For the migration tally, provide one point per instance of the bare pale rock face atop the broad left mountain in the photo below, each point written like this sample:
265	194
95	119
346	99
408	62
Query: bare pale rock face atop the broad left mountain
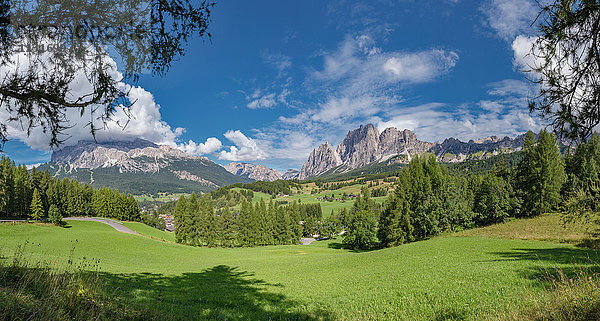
136	156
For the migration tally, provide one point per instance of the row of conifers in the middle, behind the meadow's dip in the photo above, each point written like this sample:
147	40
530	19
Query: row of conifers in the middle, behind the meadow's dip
200	223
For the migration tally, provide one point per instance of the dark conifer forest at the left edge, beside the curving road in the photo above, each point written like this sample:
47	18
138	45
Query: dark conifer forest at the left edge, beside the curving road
38	195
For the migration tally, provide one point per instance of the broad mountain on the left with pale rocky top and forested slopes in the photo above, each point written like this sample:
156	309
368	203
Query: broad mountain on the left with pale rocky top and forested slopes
139	167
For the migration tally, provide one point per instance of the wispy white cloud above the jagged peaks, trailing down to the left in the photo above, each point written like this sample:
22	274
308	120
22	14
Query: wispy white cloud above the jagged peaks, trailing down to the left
357	83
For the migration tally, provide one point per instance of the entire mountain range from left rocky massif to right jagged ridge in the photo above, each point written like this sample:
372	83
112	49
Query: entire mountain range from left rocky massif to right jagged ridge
141	167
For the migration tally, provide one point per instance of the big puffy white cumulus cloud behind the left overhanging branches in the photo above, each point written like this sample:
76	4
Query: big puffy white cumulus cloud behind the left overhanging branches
142	120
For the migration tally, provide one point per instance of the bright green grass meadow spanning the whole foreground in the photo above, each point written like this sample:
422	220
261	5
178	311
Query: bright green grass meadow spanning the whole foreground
468	277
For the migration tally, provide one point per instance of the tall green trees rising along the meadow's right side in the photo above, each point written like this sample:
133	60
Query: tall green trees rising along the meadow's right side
427	200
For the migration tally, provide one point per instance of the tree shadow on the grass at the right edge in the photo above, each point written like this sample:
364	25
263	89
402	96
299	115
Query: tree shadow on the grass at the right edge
560	263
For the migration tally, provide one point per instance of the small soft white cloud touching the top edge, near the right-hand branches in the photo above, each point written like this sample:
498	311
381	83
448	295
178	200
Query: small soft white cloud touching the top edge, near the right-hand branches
510	18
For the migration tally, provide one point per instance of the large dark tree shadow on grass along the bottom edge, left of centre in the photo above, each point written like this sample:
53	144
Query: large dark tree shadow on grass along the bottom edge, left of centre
218	293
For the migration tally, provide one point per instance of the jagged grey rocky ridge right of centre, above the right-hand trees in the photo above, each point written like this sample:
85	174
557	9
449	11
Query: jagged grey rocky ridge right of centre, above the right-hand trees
365	145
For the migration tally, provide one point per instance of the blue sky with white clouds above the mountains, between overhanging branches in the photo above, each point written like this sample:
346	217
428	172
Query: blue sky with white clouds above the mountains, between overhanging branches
281	77
